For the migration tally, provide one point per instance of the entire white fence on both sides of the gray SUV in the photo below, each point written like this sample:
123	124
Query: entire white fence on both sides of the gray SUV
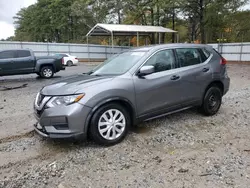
231	51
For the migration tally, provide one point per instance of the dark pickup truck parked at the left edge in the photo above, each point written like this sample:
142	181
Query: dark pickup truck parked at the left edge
20	61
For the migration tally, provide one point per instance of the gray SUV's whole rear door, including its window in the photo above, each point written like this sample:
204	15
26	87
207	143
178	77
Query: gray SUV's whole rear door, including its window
196	74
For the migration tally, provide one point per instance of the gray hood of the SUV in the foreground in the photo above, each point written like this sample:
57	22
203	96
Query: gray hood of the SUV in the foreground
73	85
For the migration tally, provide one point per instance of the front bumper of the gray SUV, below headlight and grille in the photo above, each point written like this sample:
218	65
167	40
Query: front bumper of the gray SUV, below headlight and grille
62	121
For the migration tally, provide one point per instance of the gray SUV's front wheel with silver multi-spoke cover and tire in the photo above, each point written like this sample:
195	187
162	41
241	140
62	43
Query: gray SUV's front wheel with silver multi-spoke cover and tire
105	132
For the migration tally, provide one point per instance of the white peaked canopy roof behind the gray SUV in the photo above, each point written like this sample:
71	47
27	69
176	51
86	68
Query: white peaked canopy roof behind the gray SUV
126	30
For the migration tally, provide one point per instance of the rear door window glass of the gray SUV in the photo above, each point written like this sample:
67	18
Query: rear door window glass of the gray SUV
188	56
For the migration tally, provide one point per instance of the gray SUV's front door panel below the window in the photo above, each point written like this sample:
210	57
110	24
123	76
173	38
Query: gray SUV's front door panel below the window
157	91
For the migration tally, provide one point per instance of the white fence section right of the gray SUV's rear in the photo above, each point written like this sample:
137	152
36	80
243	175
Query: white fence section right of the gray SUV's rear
234	51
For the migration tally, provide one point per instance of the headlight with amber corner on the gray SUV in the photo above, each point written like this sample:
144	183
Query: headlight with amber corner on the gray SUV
64	100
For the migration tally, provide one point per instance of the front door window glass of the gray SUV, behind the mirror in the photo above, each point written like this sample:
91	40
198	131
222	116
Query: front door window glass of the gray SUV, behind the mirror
162	61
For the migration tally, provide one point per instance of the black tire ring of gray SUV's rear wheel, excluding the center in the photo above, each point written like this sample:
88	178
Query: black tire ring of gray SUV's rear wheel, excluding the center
205	107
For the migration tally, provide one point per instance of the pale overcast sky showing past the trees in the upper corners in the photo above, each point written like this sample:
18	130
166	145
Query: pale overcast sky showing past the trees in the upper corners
9	8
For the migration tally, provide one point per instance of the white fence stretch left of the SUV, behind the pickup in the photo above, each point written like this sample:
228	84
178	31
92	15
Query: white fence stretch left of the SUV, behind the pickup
80	50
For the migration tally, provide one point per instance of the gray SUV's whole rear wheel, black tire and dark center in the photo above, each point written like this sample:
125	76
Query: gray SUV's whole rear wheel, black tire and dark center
212	101
